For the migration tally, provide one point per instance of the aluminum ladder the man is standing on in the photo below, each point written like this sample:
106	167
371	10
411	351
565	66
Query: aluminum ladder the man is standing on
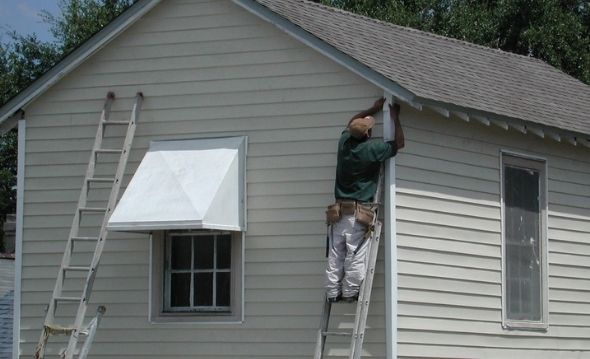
362	308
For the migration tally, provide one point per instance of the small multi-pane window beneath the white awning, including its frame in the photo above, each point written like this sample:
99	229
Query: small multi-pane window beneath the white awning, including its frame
196	276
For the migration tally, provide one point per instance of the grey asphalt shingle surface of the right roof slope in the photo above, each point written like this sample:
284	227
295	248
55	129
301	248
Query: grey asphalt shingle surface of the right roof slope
446	70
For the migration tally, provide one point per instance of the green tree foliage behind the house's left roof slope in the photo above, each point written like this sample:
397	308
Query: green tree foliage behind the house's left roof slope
25	58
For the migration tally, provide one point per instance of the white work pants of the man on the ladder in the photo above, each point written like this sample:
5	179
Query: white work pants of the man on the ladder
346	270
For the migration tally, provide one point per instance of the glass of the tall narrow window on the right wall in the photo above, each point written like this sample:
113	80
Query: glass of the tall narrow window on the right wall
523	270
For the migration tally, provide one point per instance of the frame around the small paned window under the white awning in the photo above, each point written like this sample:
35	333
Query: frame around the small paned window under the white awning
158	313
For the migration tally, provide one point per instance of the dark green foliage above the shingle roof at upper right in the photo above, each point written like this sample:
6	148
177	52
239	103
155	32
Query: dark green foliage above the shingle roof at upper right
556	31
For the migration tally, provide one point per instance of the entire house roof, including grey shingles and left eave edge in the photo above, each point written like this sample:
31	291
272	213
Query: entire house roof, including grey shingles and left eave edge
419	67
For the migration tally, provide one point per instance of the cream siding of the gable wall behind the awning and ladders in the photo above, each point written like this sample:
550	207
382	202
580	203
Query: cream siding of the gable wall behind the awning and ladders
207	69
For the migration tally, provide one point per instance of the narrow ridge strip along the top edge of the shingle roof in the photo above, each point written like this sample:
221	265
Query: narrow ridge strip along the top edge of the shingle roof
431	34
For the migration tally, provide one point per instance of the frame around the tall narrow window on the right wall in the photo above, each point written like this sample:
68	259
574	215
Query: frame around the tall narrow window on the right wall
539	164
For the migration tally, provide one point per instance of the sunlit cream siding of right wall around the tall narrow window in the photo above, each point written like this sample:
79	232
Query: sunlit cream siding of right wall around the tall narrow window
449	243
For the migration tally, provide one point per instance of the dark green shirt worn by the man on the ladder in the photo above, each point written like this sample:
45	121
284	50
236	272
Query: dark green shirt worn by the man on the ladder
357	170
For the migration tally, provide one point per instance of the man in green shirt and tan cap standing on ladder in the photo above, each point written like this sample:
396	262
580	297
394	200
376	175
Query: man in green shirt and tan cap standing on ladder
357	174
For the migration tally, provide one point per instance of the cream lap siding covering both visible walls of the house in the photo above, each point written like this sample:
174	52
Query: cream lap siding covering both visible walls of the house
209	69
